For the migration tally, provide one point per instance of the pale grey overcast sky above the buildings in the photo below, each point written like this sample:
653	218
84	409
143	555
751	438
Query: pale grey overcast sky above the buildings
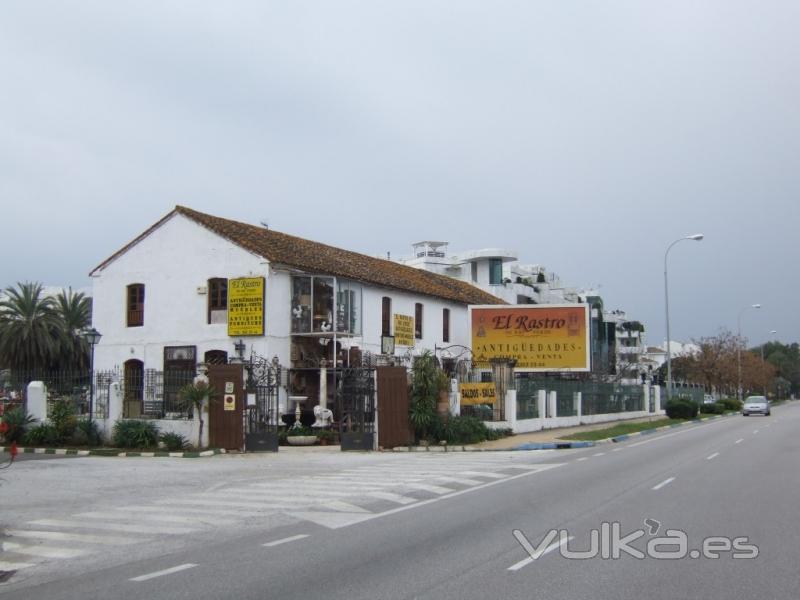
586	136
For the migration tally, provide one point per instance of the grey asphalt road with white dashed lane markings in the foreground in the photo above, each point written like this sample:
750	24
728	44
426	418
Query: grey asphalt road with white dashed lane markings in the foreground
733	477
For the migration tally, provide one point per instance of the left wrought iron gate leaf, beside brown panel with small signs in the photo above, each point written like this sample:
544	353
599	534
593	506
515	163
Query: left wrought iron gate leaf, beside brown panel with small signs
261	418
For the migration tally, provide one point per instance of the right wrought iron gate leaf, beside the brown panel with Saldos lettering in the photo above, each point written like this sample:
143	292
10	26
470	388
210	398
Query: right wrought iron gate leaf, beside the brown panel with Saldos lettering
355	403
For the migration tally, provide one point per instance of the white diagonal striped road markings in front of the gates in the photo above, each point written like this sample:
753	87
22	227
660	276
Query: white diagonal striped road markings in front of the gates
336	499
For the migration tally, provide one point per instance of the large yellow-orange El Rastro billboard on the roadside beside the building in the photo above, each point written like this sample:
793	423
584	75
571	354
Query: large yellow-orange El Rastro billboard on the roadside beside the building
545	337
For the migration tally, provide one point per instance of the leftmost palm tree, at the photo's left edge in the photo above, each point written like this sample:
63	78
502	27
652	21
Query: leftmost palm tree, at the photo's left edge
29	331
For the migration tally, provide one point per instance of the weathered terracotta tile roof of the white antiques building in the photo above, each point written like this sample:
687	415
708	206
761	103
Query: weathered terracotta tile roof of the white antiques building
315	257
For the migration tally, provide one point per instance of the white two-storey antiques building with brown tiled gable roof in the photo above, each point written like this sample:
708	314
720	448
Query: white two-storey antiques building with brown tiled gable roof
161	303
